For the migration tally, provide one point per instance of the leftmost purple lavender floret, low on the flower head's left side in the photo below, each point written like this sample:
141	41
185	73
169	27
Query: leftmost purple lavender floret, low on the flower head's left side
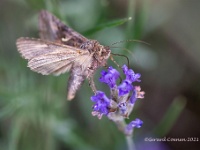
101	103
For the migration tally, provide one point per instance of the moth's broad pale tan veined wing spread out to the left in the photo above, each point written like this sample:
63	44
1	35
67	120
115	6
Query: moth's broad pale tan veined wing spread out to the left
47	57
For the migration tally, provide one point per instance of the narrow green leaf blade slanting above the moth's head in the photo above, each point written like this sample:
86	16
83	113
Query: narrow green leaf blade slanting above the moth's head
113	23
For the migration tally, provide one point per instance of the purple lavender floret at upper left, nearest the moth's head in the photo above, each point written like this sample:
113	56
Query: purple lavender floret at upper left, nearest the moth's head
110	77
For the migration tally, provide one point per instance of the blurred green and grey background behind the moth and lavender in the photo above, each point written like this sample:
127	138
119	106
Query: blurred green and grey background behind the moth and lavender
34	113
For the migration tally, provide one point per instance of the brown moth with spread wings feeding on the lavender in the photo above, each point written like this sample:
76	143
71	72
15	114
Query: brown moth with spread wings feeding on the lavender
61	49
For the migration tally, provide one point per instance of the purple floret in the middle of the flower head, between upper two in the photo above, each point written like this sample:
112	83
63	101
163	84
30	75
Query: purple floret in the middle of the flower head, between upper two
125	87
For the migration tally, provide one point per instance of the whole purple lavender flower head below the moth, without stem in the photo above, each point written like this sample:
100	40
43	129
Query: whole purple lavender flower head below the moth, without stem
122	98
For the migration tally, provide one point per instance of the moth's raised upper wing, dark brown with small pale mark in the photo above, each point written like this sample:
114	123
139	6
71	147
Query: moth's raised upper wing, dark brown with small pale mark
51	28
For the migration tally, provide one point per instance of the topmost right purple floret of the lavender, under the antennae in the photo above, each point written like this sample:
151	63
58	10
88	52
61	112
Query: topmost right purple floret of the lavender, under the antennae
130	75
